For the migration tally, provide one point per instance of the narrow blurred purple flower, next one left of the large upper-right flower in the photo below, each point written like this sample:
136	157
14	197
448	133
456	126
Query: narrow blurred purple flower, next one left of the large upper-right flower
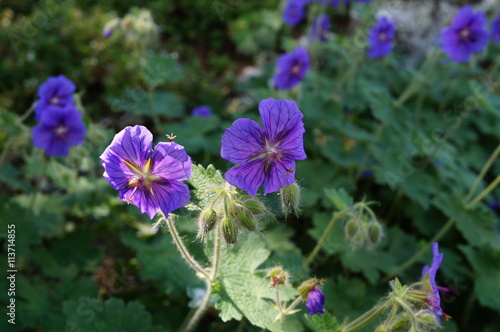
381	37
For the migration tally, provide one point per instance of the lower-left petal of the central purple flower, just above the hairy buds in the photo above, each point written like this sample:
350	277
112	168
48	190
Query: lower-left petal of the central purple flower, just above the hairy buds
248	177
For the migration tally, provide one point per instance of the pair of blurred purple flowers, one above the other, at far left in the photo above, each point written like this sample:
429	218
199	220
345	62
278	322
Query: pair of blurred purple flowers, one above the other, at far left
60	123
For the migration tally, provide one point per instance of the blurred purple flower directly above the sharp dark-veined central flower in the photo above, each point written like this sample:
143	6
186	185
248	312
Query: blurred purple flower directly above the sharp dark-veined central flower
292	68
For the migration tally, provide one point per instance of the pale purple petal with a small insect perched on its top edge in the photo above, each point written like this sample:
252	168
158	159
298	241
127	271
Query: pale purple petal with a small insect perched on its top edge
171	161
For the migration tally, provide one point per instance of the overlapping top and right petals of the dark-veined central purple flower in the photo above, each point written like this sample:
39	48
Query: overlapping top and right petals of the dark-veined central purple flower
283	125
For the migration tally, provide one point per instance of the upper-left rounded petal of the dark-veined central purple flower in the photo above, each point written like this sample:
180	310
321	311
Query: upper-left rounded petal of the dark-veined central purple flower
243	141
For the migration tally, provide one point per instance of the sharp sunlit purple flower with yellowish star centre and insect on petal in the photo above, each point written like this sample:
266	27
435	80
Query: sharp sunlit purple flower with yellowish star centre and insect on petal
149	179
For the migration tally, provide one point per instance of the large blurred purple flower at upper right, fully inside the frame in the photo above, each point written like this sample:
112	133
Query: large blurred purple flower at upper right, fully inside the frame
465	35
